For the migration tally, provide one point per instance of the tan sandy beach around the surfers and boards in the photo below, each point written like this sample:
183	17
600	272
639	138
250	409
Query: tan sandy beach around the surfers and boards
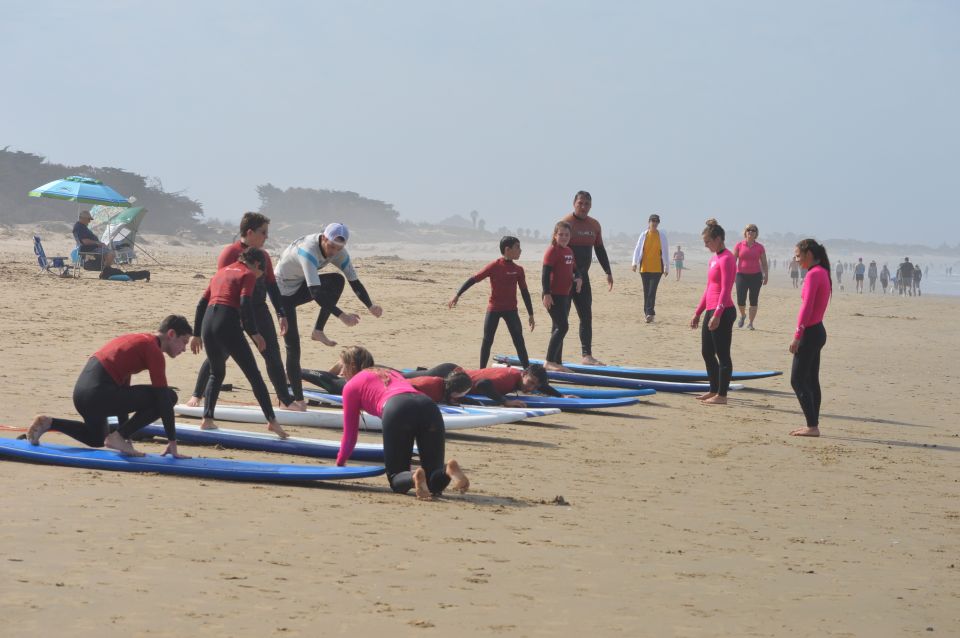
680	519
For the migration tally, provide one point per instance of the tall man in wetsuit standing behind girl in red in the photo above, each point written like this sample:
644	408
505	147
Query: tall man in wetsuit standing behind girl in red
584	240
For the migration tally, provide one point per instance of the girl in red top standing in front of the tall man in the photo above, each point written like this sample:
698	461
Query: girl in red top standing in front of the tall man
558	279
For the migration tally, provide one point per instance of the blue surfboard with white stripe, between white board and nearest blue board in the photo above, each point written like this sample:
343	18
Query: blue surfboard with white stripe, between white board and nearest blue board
265	442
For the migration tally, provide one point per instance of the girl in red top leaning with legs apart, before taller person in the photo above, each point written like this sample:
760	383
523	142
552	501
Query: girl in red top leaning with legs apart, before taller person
223	313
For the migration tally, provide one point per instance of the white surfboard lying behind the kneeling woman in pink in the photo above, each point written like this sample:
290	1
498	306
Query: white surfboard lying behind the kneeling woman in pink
333	418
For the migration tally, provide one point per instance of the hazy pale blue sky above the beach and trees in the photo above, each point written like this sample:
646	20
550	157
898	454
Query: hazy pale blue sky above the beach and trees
832	118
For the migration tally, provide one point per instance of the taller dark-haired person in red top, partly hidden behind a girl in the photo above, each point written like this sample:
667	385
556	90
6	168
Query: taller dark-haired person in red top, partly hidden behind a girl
254	230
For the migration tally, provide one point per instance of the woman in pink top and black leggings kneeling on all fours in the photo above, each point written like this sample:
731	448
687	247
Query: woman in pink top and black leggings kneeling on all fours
407	416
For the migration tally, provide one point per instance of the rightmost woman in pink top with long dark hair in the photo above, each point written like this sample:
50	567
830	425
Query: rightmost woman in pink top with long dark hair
810	336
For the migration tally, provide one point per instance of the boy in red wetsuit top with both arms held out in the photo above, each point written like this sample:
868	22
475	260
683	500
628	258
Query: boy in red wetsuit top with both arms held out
505	277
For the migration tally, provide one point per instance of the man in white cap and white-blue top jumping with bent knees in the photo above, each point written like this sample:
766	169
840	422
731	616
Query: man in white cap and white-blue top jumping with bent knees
299	279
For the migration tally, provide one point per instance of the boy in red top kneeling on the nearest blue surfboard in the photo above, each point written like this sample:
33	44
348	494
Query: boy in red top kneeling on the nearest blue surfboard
103	390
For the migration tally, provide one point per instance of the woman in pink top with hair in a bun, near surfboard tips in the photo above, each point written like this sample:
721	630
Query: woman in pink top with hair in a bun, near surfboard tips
717	333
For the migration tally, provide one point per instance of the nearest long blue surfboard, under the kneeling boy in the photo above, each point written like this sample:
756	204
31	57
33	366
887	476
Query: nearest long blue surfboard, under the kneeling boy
103	459
